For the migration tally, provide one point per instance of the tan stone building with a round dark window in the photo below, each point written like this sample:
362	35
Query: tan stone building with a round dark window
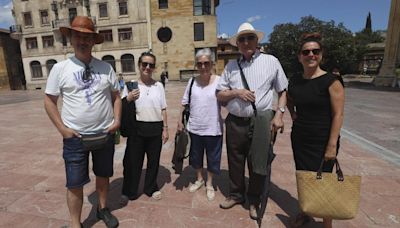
178	29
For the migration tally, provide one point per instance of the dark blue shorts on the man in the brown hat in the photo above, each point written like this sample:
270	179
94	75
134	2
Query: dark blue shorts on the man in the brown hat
76	161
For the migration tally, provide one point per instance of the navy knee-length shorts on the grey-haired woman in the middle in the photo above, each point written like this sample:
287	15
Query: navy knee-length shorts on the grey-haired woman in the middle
213	147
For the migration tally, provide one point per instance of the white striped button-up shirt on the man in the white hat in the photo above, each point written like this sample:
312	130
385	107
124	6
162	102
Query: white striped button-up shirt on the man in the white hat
263	74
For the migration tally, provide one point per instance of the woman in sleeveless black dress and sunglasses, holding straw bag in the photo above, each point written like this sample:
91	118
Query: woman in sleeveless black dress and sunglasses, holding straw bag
315	102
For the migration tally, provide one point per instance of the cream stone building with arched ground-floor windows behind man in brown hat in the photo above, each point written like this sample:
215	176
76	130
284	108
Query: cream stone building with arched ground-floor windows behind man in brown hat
124	23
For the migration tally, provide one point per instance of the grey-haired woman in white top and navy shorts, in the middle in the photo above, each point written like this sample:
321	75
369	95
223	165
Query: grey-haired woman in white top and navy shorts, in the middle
205	122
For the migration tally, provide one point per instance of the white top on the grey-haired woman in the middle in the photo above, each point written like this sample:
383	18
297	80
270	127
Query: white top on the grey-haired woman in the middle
205	112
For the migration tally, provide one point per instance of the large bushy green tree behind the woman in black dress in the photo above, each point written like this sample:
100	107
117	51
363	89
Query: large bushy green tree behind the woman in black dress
337	41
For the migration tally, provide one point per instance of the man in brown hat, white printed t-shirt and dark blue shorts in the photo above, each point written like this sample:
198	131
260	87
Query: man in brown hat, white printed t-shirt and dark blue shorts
91	110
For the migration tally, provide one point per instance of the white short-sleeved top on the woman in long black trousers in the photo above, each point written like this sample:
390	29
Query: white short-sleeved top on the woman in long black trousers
150	103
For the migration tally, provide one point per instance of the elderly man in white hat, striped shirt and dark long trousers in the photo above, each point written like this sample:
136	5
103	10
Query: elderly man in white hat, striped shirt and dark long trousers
247	87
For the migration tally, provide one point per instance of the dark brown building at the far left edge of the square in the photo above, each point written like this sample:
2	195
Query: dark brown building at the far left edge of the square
11	72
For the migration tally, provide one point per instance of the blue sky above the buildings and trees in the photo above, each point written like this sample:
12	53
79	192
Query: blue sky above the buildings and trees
264	14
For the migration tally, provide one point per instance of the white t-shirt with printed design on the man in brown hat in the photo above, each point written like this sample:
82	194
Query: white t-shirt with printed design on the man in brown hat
87	106
